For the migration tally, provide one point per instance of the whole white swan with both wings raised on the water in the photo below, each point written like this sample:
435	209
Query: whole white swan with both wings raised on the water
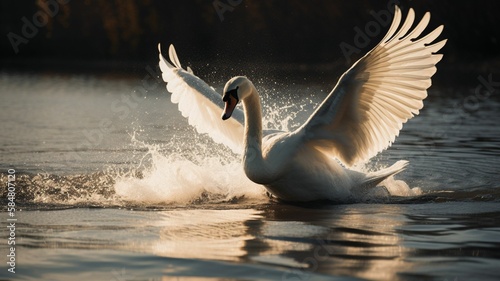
359	118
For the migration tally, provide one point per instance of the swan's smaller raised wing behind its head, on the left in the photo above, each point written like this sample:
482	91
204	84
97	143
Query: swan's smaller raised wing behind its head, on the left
201	104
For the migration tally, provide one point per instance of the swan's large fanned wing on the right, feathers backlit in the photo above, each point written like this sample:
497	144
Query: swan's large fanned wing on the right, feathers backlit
367	108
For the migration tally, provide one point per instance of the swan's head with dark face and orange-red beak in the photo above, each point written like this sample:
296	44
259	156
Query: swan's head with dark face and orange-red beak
236	89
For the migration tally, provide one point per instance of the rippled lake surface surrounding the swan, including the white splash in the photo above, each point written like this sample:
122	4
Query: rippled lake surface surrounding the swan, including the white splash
112	184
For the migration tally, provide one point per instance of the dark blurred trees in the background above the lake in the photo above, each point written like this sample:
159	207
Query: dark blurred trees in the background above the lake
281	31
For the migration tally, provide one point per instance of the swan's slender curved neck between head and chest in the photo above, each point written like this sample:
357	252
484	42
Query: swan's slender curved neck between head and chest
256	168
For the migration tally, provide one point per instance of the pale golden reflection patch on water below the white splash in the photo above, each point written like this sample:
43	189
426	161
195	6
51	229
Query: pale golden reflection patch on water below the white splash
204	234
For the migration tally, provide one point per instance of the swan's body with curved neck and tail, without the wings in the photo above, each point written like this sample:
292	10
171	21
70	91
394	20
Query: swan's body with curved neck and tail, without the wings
288	167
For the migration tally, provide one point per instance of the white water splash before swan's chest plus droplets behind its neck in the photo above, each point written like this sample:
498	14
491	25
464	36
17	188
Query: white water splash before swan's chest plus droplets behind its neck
199	171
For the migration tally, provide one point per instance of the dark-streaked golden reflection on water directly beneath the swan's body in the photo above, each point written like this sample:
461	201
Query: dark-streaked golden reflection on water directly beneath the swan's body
344	243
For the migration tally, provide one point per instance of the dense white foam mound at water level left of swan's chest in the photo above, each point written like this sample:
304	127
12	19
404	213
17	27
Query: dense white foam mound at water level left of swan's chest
174	179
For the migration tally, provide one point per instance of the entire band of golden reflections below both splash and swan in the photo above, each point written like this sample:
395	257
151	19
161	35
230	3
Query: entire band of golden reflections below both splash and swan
302	241
